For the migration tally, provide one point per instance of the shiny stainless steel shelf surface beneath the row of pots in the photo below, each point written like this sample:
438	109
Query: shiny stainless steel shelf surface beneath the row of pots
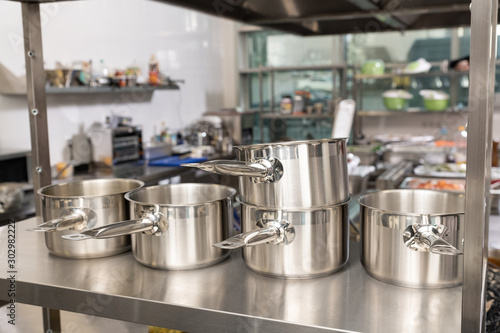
227	297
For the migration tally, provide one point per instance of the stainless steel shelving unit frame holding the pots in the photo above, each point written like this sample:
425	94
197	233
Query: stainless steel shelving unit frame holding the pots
262	318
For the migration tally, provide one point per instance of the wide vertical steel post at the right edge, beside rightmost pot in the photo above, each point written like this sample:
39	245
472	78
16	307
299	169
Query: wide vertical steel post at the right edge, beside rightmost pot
481	100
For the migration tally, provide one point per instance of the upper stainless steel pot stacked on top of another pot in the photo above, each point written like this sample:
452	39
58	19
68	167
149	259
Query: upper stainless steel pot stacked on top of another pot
297	174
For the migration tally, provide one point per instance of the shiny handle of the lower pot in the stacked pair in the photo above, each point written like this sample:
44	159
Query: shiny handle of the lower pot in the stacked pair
272	231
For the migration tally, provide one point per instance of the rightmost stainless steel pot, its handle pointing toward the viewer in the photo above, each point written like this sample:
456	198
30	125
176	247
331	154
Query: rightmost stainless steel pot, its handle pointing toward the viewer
413	238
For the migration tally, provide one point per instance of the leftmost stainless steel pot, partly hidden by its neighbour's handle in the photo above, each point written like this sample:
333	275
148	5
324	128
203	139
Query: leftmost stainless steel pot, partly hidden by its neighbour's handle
82	205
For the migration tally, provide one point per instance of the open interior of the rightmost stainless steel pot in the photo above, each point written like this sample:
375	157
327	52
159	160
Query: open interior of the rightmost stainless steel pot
415	201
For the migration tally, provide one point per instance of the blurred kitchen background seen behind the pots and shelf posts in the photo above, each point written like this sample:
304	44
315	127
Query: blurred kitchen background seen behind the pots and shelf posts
138	92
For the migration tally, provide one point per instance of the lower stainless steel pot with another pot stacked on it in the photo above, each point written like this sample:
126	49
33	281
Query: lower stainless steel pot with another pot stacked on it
293	243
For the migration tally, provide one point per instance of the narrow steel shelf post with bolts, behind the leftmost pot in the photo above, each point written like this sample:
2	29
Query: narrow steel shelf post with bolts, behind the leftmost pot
37	104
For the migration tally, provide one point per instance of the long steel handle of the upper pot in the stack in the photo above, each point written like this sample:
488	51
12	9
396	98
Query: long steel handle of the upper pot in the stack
265	170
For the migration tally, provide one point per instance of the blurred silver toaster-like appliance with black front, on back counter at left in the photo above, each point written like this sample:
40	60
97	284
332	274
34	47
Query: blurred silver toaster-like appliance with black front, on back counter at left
112	146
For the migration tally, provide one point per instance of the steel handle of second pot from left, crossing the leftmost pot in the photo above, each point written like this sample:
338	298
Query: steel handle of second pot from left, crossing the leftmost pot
148	224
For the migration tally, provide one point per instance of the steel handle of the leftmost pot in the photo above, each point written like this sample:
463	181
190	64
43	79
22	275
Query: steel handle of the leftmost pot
75	219
